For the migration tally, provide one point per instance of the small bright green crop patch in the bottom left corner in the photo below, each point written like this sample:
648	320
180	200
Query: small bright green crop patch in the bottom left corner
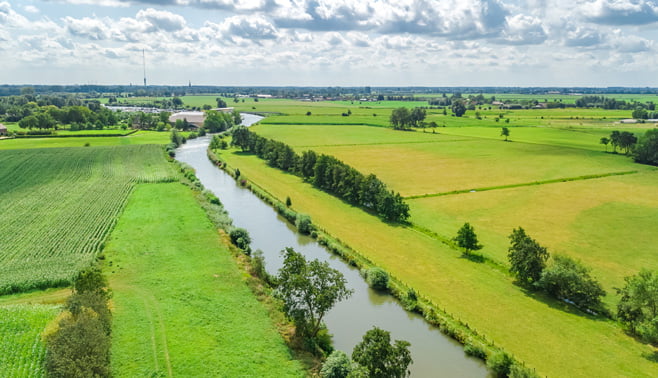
22	351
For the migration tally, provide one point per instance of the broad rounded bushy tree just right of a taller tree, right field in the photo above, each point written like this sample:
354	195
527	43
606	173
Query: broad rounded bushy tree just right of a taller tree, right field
569	279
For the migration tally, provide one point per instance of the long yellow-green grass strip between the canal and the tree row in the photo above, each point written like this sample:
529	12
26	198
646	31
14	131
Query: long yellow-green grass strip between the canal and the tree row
483	297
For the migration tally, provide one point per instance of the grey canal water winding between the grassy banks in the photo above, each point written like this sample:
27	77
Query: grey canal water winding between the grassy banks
434	354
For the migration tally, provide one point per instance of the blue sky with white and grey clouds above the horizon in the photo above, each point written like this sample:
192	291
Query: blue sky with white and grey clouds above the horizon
331	42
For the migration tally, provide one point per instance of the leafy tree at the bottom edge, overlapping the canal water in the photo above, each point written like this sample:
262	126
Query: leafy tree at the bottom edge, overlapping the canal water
380	358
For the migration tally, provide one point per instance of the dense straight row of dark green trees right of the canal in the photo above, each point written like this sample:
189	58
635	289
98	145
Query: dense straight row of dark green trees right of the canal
327	173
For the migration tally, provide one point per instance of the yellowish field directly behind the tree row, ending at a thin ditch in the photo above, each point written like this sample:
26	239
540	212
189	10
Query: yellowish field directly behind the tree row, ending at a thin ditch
415	163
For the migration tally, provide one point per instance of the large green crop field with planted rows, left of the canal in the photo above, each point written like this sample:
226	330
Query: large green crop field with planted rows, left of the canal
59	204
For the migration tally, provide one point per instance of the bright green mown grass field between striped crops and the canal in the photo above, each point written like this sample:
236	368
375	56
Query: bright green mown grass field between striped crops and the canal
181	306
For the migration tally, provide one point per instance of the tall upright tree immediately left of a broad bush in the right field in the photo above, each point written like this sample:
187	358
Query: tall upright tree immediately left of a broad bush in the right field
527	258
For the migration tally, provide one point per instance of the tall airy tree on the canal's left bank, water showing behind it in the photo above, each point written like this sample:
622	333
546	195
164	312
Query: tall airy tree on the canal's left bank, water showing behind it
309	290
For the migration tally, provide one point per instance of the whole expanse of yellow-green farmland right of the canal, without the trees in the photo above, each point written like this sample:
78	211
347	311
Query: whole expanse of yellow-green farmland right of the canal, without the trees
553	179
